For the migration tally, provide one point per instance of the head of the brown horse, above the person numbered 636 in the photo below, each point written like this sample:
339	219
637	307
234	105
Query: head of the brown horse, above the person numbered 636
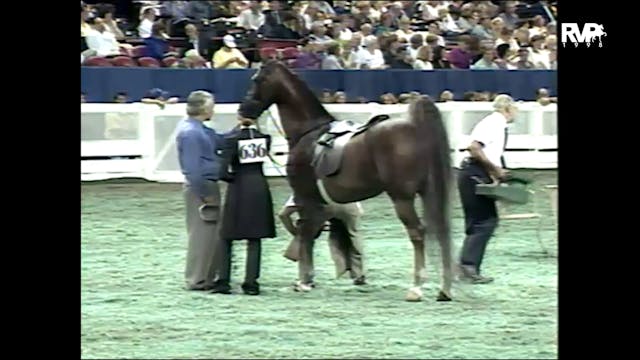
267	85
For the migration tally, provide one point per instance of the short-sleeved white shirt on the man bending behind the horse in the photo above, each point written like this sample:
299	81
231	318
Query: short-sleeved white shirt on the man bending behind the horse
490	132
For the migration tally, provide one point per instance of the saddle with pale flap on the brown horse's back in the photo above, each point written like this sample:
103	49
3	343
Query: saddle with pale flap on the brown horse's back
328	149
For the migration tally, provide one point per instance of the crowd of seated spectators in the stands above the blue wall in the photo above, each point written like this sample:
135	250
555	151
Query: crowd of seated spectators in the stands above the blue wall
421	35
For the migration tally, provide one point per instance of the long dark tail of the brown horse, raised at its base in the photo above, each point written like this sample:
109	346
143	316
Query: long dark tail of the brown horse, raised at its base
435	193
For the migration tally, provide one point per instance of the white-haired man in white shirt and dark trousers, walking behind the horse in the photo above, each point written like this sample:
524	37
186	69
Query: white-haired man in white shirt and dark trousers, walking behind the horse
486	164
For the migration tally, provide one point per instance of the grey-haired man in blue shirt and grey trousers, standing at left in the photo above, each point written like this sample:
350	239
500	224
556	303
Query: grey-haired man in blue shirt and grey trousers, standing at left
200	164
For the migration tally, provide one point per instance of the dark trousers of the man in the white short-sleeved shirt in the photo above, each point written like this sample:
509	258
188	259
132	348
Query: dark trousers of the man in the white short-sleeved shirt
480	214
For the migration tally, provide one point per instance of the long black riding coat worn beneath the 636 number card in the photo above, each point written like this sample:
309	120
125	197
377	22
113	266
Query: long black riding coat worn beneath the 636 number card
248	206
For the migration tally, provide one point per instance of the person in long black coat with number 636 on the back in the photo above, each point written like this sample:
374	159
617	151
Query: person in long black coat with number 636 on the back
248	207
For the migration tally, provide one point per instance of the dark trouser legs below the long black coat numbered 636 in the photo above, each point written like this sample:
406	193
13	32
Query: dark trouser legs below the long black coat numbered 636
252	265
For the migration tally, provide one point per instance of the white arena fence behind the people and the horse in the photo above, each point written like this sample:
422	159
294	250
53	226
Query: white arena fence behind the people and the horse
138	140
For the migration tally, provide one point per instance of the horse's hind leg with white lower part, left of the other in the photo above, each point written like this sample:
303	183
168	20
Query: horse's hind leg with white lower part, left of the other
407	214
